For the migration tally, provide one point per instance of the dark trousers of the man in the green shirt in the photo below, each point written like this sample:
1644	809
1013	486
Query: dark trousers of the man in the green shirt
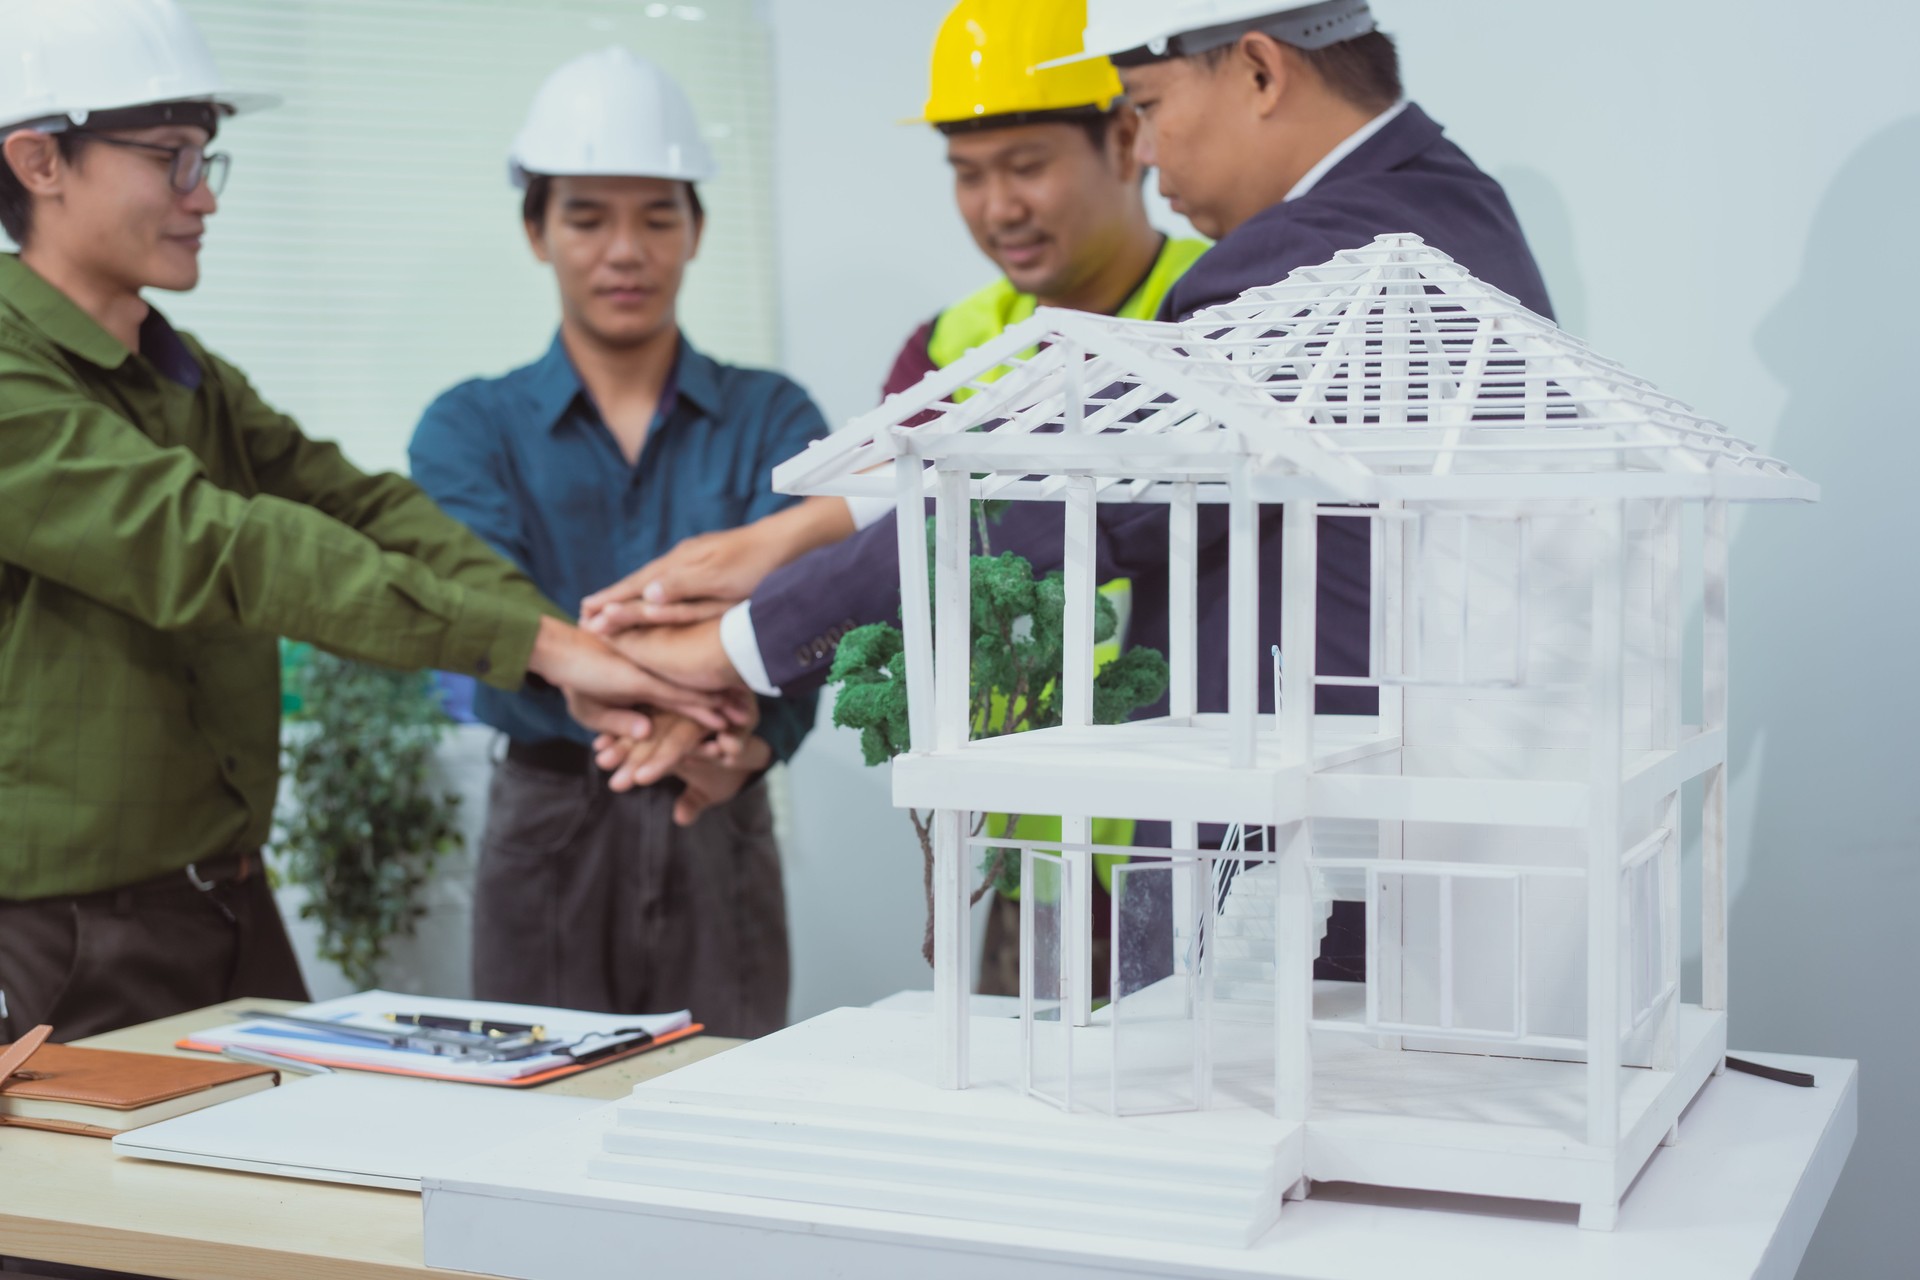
107	960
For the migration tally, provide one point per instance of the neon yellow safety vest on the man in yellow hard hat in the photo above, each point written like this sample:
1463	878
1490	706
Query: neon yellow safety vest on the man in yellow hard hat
982	318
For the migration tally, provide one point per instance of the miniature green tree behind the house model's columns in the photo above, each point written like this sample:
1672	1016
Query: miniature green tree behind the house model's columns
1019	634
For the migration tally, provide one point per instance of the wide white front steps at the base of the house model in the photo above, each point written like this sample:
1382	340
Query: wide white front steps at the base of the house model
1070	1173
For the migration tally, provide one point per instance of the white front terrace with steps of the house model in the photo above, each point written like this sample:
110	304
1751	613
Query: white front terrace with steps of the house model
838	1112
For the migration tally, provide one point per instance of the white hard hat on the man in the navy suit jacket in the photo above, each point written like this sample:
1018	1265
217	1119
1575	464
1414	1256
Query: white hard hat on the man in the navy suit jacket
1149	30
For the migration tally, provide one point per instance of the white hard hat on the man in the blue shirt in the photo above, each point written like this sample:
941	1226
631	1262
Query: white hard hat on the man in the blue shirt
612	114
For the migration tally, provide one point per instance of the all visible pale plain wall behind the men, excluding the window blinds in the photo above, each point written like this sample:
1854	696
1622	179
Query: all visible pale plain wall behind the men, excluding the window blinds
1719	195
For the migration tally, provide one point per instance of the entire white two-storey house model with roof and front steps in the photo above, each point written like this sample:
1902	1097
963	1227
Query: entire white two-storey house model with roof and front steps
1547	531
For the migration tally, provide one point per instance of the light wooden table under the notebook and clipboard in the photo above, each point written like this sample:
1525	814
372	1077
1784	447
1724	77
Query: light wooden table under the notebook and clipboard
66	1198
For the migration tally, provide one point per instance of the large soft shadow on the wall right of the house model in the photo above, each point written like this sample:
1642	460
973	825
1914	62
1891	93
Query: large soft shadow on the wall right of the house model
1827	617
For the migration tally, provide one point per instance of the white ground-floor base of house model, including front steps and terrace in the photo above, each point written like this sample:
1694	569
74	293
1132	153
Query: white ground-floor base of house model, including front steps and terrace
838	1116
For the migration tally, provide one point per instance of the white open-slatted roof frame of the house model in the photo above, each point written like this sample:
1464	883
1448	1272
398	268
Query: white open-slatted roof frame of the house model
1387	373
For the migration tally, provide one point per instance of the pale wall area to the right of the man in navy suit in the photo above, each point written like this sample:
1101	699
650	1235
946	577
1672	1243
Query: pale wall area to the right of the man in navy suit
1716	191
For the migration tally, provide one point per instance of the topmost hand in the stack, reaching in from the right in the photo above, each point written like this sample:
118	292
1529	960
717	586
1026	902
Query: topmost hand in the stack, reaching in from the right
709	573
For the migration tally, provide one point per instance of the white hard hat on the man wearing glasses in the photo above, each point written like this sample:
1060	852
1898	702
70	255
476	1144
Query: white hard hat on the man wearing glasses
64	62
